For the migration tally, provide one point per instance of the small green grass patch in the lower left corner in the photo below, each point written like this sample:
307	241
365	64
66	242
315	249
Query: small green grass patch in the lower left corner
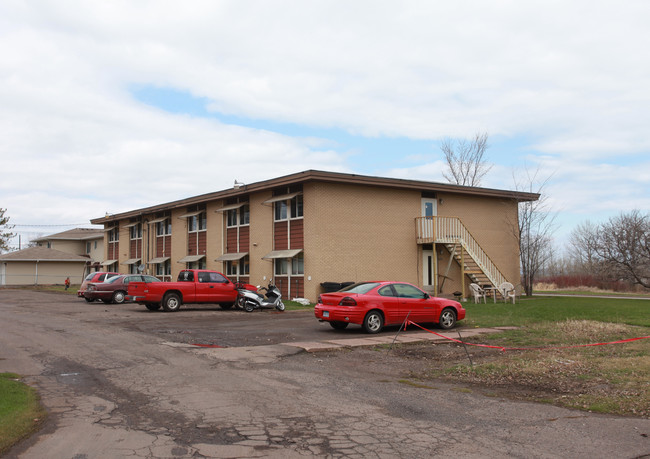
20	410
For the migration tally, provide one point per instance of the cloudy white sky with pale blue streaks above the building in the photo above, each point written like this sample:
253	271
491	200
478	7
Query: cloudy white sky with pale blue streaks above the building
113	106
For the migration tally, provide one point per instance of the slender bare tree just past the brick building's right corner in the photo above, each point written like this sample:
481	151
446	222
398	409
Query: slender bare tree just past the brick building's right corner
534	230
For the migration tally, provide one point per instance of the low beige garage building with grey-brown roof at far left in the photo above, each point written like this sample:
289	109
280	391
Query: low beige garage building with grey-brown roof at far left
41	266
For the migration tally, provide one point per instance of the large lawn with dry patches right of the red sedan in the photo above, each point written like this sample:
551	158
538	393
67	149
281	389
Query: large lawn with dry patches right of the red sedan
608	378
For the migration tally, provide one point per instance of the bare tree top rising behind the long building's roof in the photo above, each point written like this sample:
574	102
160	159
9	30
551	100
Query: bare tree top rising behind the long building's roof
466	160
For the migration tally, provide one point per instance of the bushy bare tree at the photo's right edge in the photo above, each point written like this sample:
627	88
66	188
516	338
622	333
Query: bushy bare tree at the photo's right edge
623	245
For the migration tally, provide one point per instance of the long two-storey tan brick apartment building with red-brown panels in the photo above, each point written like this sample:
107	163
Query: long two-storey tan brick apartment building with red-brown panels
315	227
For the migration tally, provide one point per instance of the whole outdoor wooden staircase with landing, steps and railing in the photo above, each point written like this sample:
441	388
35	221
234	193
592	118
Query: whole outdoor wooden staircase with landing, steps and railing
451	232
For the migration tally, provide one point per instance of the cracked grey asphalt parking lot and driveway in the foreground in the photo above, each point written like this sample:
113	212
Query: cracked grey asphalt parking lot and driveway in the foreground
121	382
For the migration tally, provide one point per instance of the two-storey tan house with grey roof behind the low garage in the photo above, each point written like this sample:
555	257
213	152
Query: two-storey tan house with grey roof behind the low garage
86	242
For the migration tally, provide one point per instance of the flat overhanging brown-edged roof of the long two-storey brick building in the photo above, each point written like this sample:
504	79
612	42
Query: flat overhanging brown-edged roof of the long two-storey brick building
323	176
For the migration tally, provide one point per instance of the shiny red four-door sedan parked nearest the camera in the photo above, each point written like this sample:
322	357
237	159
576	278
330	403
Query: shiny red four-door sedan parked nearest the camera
375	304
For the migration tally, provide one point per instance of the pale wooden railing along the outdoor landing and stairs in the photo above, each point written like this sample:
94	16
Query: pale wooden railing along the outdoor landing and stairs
451	230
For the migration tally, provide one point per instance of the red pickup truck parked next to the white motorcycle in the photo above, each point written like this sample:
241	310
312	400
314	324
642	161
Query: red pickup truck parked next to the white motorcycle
193	286
